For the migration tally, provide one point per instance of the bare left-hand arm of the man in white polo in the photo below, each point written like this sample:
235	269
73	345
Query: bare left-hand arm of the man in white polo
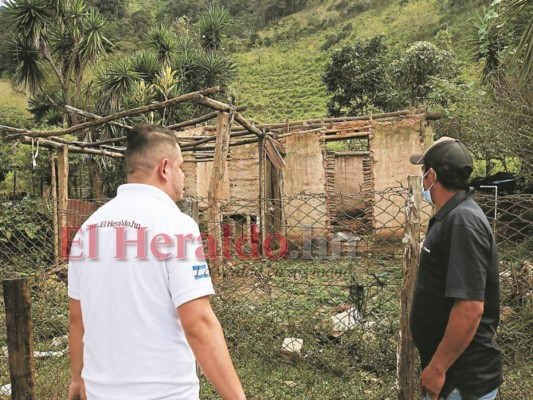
75	339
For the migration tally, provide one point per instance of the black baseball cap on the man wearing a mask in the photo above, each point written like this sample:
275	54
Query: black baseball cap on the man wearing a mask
445	154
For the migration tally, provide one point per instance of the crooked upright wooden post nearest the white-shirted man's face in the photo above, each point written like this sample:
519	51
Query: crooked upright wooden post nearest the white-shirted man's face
215	188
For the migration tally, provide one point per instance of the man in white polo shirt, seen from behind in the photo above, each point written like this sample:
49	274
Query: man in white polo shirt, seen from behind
139	289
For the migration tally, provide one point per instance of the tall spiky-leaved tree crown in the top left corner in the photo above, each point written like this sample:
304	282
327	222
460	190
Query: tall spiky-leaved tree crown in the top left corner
66	35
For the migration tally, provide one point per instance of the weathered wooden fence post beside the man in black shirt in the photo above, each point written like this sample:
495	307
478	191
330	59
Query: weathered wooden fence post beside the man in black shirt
411	255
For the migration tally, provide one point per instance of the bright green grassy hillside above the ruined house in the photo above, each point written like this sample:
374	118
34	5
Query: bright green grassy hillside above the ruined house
282	78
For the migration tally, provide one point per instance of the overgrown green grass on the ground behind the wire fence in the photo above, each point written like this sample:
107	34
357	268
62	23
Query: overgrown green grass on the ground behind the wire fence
259	303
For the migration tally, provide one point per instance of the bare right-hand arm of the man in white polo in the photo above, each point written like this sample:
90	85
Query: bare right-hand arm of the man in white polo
206	338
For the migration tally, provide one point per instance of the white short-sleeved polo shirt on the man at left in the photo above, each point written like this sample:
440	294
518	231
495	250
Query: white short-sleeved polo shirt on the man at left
133	262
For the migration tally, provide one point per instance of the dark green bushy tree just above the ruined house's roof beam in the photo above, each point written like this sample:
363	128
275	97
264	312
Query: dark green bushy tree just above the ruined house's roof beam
357	79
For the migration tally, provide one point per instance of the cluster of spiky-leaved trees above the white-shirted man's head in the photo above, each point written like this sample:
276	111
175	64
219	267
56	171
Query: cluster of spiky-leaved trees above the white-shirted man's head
172	65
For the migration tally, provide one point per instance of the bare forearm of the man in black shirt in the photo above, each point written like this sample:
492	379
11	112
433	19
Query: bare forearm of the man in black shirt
462	325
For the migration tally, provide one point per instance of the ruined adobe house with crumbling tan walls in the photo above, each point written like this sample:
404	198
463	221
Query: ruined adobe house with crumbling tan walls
318	185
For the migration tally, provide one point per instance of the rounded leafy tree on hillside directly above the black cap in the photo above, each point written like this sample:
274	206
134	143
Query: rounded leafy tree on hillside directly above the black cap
418	66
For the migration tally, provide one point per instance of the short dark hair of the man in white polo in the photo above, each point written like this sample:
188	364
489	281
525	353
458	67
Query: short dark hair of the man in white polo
147	145
